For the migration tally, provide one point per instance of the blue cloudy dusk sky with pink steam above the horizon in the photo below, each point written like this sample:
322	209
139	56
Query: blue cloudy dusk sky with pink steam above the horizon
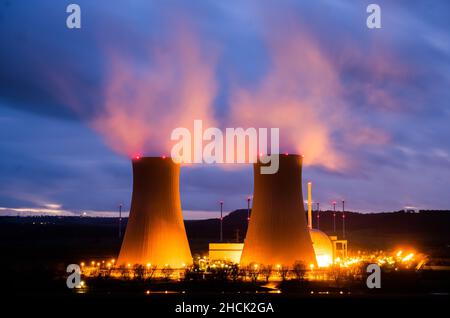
369	109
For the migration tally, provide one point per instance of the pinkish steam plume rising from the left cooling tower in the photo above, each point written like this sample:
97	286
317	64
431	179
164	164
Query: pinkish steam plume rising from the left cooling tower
143	104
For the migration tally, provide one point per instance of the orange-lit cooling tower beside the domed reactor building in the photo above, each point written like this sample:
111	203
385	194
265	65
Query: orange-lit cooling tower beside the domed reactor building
277	233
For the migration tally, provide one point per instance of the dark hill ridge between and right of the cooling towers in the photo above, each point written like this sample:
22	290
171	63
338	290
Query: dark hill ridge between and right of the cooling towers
425	229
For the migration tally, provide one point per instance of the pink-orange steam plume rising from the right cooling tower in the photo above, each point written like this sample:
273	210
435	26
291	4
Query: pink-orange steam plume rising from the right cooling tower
302	94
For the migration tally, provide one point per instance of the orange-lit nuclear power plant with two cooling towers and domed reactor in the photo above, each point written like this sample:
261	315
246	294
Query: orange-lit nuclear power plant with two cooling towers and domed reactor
278	232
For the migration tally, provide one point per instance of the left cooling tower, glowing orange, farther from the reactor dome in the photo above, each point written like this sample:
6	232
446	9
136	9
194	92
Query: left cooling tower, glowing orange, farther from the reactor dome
155	232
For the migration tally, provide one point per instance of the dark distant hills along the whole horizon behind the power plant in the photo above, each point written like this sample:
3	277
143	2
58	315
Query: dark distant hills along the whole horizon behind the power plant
53	236
